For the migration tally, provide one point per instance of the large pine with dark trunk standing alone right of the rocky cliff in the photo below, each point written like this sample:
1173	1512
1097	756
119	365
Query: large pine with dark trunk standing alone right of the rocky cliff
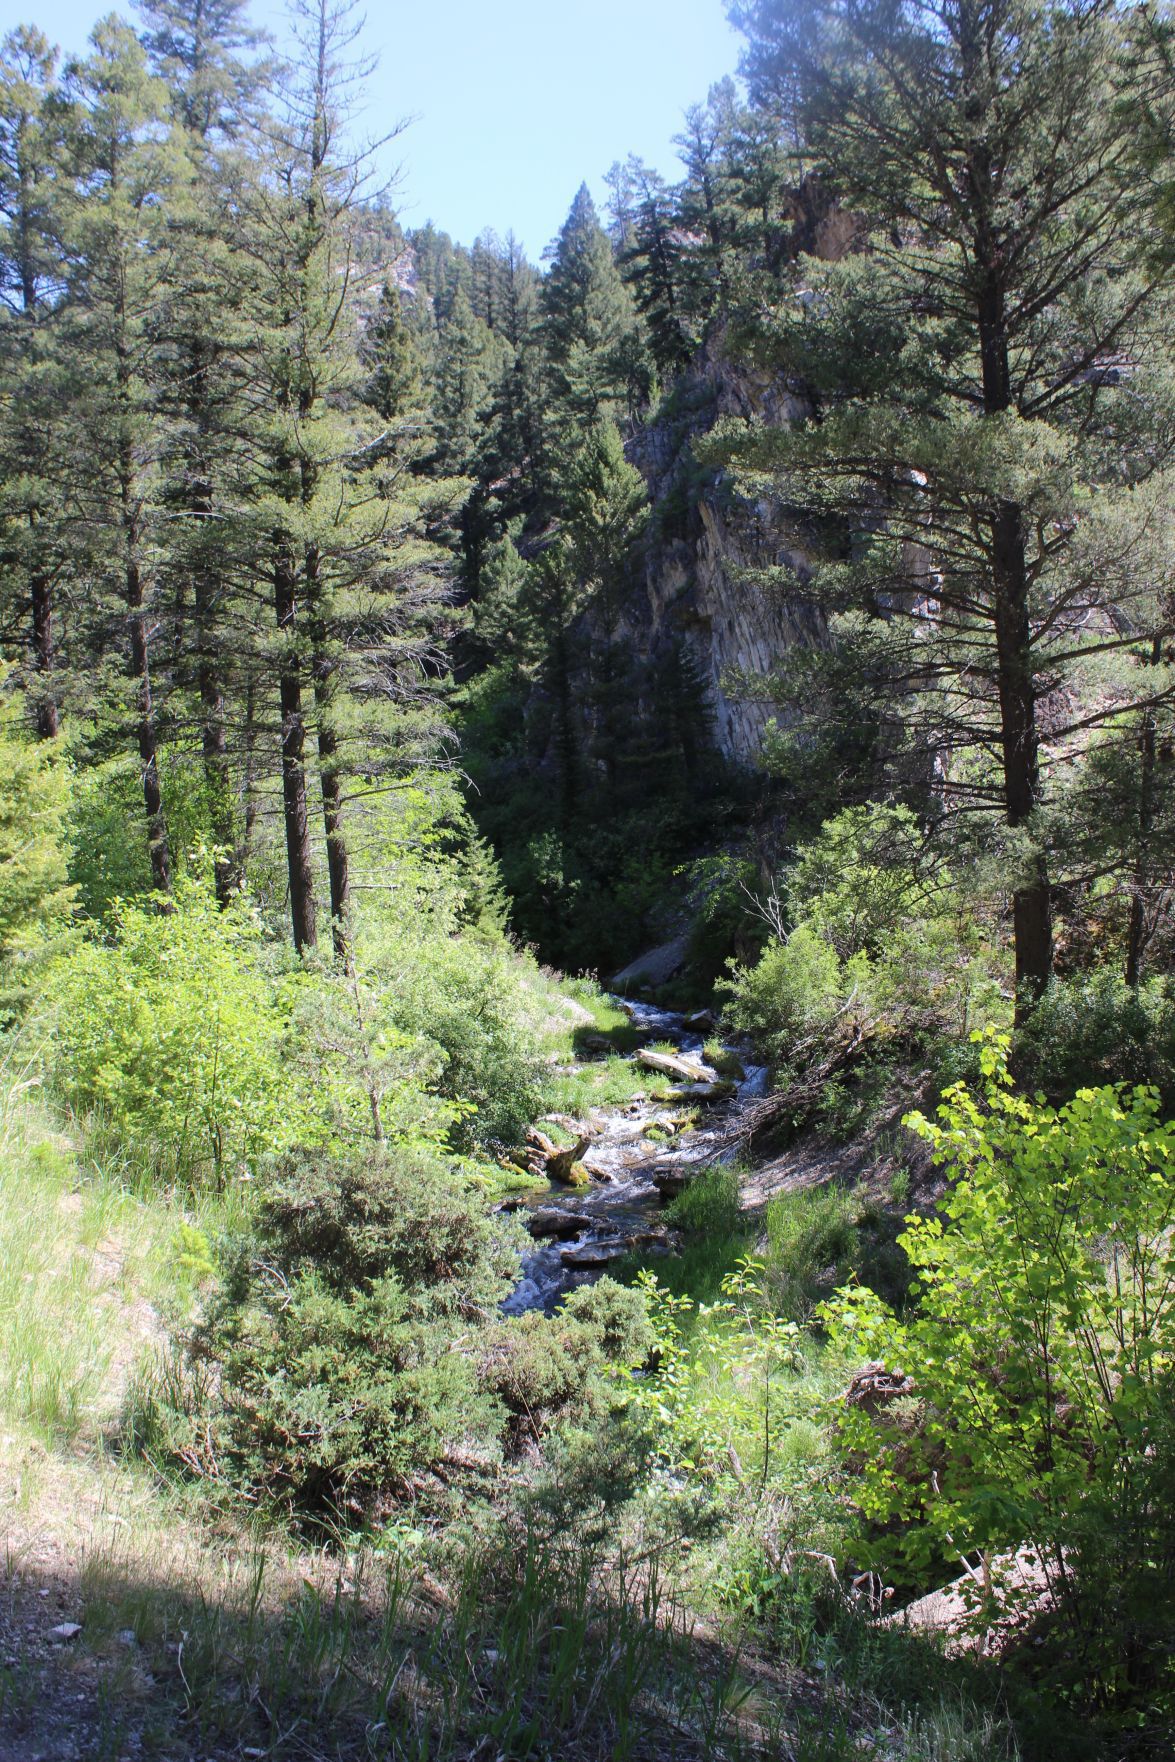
980	383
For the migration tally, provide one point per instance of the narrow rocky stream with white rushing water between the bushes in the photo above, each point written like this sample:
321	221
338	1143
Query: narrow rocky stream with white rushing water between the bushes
621	1208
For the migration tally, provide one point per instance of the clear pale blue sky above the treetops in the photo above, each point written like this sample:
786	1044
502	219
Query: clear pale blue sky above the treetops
515	103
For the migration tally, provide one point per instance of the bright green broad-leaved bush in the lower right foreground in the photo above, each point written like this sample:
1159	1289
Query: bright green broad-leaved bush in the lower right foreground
1040	1338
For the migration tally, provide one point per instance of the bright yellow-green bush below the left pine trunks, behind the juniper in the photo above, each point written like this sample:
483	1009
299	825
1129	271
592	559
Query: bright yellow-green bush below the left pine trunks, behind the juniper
172	1030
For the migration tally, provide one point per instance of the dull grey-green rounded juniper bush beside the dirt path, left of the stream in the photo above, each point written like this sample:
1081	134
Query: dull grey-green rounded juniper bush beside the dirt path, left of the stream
332	1333
